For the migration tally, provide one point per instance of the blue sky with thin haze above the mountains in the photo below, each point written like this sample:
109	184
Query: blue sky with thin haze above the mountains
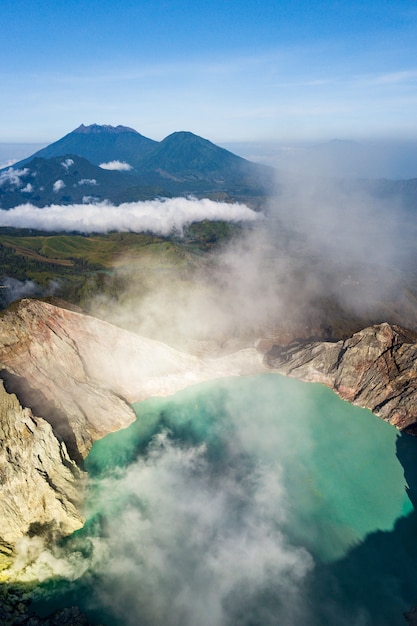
229	71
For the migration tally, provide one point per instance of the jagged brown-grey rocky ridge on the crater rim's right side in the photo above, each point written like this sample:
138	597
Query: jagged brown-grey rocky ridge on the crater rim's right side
376	368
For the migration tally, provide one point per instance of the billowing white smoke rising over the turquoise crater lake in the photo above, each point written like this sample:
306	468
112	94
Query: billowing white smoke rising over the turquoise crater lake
184	543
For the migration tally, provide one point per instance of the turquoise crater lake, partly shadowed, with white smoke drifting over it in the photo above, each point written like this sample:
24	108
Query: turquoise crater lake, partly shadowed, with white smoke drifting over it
248	501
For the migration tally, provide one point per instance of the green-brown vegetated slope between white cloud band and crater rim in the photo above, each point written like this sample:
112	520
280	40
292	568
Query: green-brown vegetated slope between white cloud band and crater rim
76	267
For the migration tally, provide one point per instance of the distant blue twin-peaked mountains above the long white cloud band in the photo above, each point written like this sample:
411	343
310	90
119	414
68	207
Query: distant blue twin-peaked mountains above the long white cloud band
95	163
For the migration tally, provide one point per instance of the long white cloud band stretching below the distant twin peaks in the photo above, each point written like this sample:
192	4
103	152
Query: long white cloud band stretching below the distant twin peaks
161	216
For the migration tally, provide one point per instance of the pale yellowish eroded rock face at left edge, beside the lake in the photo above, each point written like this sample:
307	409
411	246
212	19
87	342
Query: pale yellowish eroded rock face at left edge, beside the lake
41	488
